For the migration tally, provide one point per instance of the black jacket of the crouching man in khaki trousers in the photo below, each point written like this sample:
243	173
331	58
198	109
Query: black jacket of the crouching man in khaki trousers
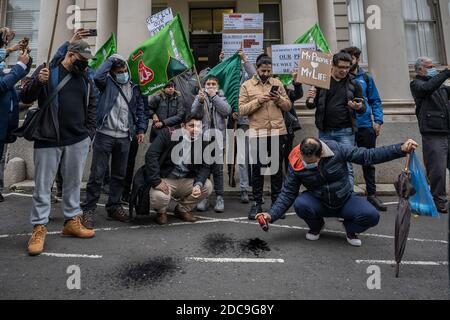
159	165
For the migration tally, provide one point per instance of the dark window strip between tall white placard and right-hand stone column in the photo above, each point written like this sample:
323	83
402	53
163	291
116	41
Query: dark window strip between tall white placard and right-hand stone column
272	23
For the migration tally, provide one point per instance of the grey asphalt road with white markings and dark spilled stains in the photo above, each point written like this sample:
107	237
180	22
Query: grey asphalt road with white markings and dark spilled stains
145	261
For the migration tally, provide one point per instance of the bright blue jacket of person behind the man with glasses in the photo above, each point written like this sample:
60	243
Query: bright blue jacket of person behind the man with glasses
374	112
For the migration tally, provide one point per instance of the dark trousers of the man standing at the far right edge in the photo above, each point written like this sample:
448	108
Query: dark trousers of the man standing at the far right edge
436	156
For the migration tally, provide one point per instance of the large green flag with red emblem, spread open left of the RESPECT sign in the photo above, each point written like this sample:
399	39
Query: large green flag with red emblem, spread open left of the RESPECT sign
161	58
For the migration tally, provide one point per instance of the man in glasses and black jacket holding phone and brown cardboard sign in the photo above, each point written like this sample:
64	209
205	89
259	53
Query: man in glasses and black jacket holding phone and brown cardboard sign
337	107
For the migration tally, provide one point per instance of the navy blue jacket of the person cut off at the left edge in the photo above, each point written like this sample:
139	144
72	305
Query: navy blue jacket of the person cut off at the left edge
9	103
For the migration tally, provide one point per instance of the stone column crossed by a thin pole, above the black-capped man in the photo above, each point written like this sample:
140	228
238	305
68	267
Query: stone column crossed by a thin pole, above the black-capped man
46	21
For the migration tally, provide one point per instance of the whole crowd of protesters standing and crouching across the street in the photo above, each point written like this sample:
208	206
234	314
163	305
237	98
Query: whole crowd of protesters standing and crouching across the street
103	112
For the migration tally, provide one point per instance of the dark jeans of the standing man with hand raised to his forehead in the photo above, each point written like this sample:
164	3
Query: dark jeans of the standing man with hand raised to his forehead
105	148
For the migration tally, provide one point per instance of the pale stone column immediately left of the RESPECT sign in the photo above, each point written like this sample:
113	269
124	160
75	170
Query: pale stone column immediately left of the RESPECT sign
131	26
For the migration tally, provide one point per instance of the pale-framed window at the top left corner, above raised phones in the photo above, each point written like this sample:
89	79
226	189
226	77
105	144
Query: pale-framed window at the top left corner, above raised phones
22	16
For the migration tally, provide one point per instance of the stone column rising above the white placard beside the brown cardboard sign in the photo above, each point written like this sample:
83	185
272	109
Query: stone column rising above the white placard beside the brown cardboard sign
298	17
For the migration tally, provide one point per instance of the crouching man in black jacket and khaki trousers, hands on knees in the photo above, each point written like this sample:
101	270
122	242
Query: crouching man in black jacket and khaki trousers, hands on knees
176	170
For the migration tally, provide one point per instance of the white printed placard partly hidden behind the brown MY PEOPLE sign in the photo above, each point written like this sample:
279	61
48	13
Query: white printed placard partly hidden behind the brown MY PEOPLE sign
285	58
